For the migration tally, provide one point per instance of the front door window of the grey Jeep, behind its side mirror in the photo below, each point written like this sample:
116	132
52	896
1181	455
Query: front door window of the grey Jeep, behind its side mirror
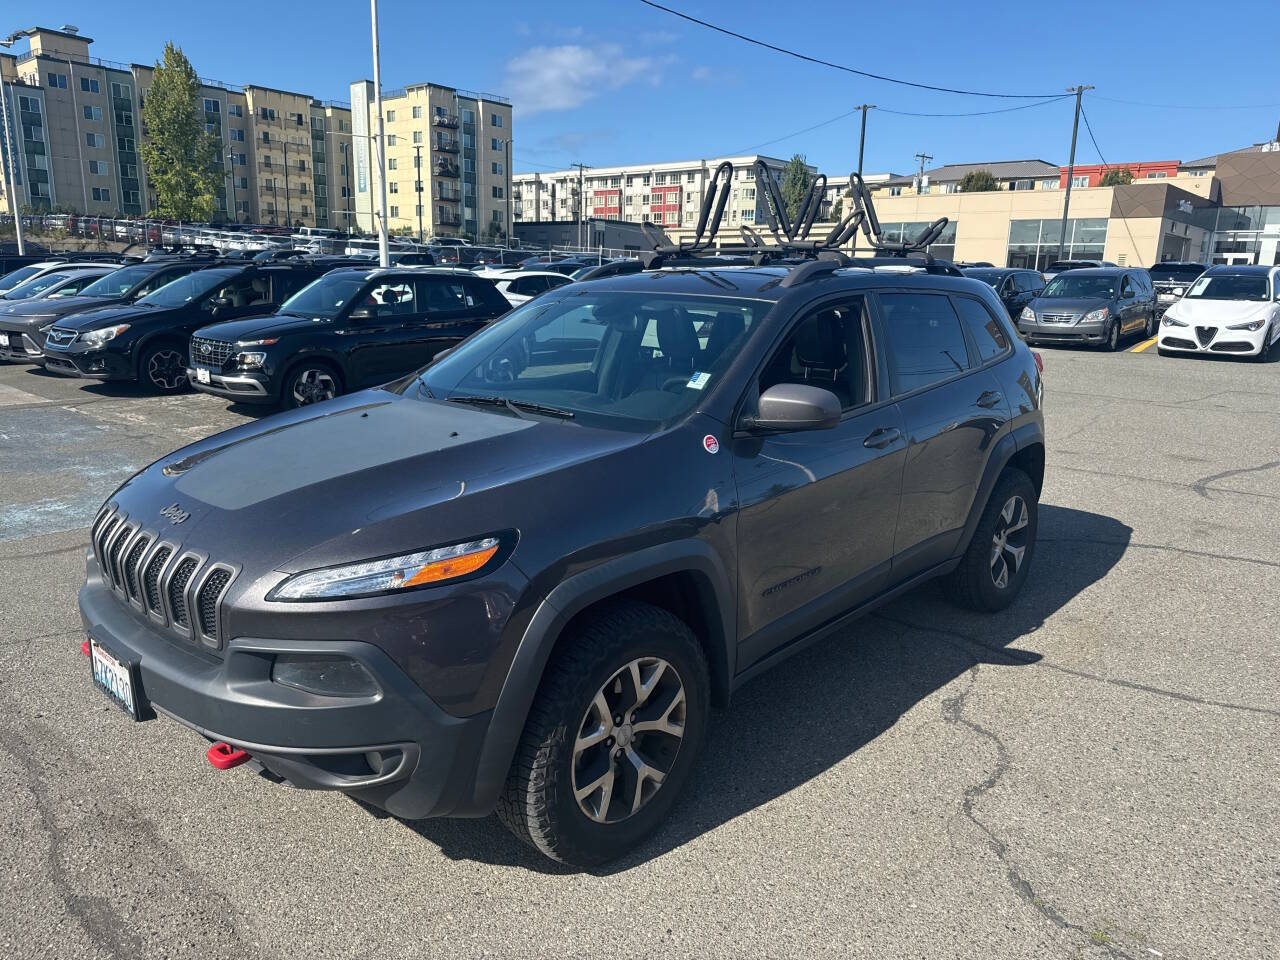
826	349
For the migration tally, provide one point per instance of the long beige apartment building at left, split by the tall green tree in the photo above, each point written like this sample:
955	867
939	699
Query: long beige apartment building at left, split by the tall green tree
76	124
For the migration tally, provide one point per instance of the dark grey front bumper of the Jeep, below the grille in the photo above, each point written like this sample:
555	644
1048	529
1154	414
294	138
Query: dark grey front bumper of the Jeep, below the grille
397	749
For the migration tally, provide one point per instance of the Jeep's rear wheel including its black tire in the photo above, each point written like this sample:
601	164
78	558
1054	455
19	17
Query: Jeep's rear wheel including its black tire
977	583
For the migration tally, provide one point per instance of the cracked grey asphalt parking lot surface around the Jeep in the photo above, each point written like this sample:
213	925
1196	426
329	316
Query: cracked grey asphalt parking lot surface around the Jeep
1090	774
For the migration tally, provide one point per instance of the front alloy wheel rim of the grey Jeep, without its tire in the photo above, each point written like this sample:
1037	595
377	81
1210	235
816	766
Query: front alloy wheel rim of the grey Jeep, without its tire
628	740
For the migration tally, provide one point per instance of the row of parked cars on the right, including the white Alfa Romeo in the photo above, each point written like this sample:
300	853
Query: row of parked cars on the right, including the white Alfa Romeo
1188	308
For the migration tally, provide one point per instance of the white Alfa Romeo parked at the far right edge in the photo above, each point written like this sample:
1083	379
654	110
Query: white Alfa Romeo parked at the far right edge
1227	310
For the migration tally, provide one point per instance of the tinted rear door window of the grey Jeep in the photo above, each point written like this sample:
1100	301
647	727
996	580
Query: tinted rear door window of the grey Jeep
926	344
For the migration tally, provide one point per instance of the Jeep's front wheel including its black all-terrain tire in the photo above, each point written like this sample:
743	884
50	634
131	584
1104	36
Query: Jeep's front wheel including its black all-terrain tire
588	679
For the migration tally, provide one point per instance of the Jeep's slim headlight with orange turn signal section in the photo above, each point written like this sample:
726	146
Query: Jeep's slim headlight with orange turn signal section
380	577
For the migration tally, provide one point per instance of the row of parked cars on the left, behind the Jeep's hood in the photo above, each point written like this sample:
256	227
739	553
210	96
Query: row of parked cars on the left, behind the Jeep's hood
278	331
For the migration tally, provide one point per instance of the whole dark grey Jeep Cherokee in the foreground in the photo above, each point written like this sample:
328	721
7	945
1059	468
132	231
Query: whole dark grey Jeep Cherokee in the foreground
520	579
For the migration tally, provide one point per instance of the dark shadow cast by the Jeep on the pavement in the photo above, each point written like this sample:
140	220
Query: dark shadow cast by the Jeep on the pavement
821	707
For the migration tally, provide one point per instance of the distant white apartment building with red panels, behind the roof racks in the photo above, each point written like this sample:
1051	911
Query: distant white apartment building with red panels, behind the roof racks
669	195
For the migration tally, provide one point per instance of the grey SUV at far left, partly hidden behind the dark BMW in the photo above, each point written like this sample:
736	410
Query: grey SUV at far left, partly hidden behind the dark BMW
25	326
